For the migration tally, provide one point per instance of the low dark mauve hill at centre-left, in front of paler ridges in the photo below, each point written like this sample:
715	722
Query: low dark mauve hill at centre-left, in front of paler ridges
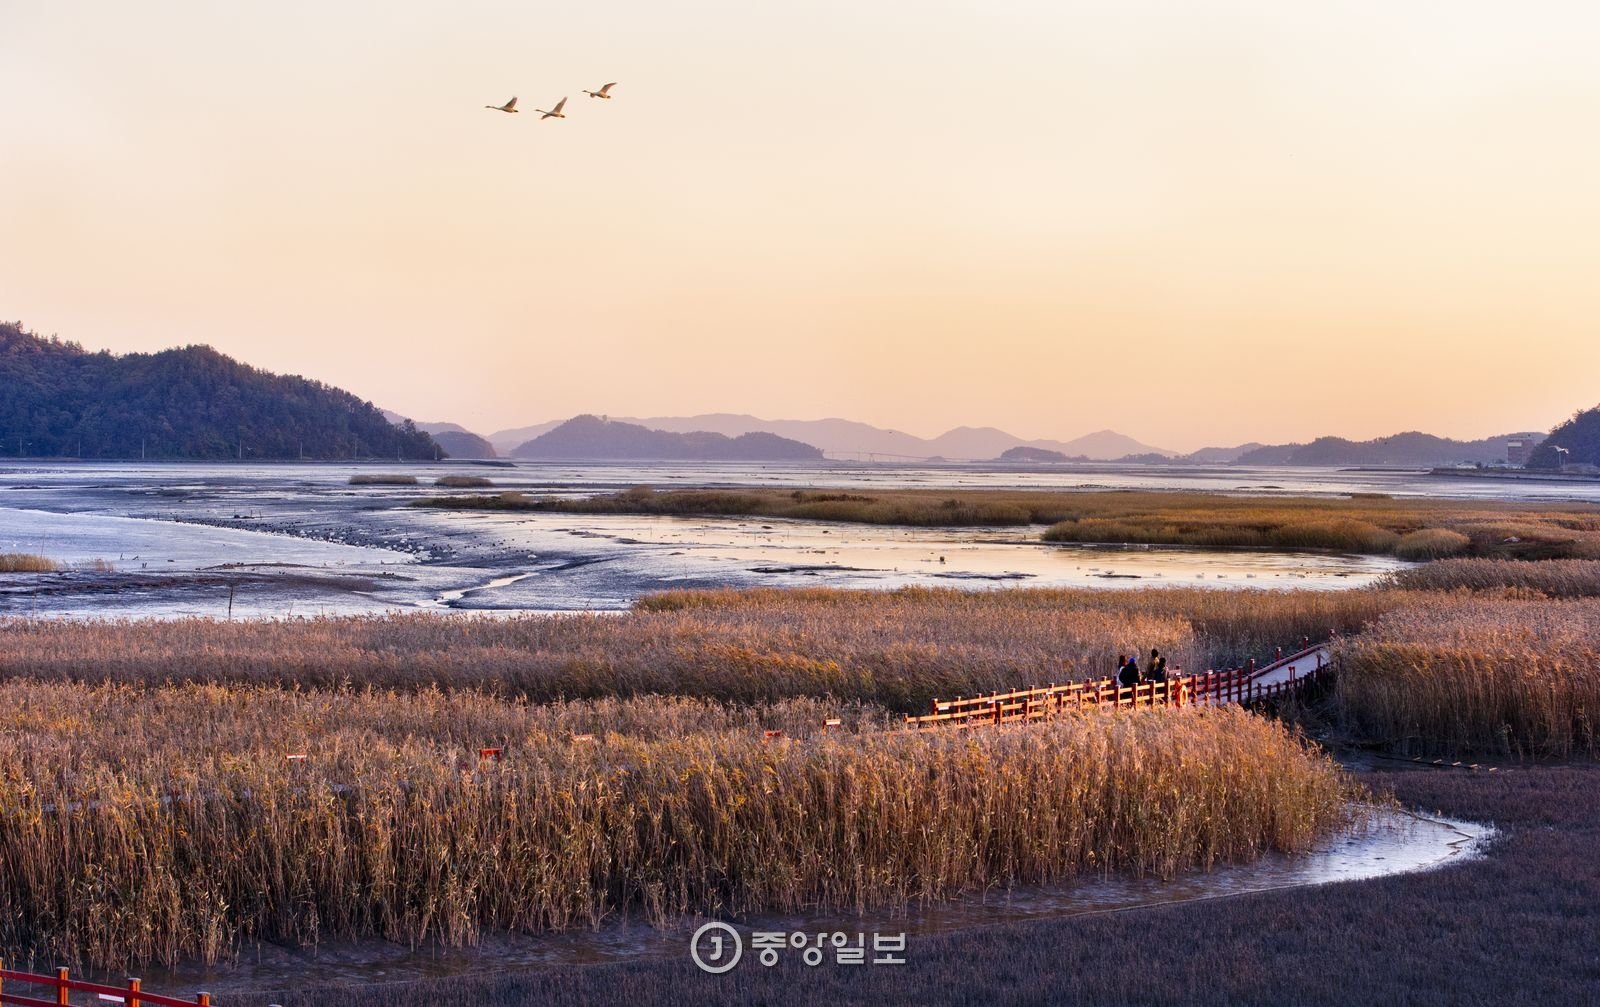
591	438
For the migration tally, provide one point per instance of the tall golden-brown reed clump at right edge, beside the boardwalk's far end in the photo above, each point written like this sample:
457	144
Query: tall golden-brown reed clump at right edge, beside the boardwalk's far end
1462	675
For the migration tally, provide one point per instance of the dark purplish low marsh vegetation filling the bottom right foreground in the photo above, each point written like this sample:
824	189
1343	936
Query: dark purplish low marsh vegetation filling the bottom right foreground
1518	926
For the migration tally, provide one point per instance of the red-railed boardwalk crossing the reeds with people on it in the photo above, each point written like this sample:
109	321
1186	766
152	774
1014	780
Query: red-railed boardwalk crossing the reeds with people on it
1214	688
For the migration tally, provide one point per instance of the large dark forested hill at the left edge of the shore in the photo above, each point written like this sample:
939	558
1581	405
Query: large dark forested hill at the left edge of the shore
57	399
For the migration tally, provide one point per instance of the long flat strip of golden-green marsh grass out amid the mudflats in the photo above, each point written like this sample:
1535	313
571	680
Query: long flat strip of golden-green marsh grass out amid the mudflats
1409	528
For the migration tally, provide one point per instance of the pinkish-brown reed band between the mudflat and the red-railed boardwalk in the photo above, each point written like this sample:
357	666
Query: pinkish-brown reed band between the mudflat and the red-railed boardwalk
897	649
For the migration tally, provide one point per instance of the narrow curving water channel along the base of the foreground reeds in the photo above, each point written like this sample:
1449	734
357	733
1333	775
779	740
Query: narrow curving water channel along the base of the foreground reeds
1393	843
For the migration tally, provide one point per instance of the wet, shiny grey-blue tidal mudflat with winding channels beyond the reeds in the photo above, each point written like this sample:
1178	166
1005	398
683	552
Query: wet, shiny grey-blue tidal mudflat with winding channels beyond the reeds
300	540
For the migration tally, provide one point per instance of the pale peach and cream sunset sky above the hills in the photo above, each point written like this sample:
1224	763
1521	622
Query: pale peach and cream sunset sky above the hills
1194	228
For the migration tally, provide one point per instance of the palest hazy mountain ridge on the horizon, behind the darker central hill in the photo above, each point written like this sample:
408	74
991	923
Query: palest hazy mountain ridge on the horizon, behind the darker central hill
852	439
